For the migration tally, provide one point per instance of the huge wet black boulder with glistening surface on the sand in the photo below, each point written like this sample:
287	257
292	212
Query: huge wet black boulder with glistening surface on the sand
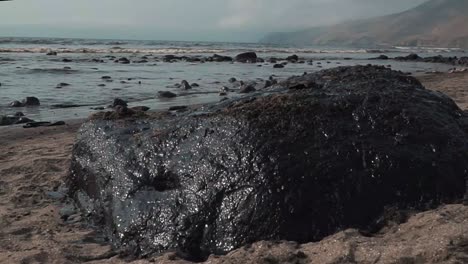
310	156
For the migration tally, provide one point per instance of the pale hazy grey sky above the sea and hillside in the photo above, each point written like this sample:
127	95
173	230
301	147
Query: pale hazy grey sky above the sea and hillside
230	20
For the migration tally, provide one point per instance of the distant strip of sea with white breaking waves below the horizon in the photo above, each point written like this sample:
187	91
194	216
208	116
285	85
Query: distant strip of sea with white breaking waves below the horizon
44	45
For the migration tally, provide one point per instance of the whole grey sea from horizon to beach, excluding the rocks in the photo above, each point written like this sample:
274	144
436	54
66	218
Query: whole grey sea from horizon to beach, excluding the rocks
26	70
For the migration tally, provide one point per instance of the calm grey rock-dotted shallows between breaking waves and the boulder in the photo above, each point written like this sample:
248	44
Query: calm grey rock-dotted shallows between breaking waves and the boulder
59	79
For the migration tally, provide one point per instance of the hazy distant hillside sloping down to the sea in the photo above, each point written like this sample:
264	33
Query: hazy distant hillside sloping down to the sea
436	23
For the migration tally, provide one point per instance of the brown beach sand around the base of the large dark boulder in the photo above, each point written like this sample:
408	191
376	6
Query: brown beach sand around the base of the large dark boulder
34	163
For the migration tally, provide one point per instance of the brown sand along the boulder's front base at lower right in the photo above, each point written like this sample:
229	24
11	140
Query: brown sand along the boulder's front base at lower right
411	242
